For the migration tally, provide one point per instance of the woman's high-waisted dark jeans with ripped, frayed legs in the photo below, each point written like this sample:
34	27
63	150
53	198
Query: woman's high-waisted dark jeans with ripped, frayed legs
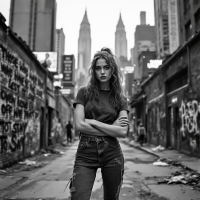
97	152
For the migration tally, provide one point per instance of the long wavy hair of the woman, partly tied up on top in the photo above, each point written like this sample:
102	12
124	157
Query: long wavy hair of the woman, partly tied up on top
116	97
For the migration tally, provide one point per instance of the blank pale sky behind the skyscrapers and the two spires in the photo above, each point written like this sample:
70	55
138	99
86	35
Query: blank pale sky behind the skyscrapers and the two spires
103	16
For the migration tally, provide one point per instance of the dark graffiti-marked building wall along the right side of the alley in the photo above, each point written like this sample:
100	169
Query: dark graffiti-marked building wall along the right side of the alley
173	115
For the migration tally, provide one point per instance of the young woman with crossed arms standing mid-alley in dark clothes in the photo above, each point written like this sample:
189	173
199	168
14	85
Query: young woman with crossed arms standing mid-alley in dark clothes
101	116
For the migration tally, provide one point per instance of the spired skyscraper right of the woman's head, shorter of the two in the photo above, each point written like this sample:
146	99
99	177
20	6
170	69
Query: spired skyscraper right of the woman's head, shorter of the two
120	39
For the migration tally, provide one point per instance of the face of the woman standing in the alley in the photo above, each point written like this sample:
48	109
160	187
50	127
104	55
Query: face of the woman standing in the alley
103	71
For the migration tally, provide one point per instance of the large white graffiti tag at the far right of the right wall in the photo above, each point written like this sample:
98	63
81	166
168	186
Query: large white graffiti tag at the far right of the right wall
190	122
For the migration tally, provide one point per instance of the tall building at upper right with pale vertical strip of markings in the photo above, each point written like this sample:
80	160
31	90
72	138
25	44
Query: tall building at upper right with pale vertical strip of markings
167	27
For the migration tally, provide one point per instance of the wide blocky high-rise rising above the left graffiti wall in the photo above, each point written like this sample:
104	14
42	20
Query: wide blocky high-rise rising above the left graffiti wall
35	22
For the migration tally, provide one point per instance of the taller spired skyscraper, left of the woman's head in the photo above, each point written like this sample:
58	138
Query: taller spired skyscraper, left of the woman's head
84	52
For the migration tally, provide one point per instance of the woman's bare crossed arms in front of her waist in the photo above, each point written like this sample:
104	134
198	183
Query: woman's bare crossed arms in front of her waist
93	127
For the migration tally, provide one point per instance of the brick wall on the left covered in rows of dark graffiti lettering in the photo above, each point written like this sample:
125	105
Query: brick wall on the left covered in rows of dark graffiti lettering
22	90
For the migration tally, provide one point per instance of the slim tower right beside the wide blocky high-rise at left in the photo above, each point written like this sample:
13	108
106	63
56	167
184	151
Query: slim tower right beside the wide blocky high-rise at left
60	47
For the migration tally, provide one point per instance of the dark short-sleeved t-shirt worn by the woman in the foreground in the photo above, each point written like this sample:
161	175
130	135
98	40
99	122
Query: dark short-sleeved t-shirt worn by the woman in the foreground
103	112
